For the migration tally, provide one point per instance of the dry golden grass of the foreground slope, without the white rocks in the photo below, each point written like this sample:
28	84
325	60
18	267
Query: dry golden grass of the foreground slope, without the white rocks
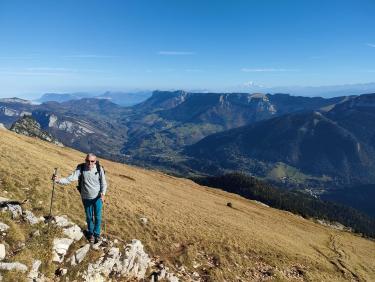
187	220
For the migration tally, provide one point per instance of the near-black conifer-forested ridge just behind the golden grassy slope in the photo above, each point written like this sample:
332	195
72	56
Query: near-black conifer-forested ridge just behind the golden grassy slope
294	201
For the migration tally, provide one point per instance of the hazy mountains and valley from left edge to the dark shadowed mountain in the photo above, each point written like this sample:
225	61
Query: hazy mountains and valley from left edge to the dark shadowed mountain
158	129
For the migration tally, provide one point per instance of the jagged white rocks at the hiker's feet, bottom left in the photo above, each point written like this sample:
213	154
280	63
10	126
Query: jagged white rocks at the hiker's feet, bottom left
118	261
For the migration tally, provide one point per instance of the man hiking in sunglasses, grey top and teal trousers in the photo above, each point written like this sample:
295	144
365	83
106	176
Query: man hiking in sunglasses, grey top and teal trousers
92	186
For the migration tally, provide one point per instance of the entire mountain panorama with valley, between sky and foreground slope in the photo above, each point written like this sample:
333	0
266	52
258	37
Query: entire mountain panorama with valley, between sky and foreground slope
316	144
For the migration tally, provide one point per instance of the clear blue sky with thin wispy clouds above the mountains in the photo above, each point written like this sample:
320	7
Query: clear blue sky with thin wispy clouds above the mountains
65	46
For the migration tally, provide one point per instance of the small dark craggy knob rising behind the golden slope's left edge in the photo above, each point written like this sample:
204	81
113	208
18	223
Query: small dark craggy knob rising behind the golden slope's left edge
29	127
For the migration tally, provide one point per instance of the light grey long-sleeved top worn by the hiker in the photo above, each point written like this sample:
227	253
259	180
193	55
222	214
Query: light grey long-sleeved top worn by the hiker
91	187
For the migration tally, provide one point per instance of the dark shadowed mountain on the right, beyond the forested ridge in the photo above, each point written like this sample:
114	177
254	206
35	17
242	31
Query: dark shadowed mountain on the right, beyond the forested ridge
336	147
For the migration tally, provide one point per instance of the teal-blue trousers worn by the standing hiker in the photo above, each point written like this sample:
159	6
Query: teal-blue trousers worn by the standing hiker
93	211
